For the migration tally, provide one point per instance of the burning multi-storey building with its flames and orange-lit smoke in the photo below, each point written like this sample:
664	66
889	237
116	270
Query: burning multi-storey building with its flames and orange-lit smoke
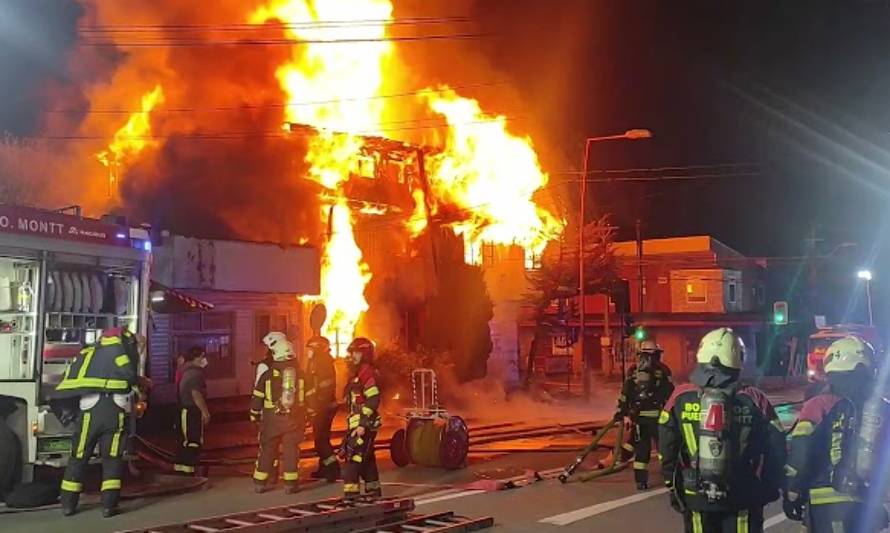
386	173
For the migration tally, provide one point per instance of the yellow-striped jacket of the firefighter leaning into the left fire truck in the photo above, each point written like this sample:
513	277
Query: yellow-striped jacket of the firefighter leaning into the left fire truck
108	366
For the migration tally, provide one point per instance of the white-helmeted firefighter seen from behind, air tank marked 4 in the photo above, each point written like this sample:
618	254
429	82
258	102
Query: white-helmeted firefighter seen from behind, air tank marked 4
722	446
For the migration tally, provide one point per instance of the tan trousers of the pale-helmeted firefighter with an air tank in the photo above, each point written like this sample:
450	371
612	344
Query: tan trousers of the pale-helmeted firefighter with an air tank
280	435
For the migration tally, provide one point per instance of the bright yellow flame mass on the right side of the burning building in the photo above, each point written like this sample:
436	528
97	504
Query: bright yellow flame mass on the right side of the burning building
492	175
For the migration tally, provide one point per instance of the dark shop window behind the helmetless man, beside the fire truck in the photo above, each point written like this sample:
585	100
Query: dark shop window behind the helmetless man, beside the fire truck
212	331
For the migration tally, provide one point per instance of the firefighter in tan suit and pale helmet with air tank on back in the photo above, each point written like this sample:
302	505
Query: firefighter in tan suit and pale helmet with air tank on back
278	407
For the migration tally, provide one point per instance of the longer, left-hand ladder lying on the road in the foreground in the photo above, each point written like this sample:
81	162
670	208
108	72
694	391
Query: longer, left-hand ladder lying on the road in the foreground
324	515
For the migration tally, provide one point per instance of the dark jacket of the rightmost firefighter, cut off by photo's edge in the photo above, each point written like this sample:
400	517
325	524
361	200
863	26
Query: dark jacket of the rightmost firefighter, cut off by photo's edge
819	448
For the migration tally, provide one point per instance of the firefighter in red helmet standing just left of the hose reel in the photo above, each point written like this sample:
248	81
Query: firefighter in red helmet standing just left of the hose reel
363	421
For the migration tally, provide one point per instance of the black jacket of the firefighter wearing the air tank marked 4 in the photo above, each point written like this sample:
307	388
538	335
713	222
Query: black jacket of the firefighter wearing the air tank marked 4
757	453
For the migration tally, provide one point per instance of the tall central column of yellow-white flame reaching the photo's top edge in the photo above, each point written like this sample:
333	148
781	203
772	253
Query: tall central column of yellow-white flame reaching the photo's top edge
346	78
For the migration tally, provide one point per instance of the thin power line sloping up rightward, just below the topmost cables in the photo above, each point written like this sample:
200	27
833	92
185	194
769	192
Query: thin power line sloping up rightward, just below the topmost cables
162	109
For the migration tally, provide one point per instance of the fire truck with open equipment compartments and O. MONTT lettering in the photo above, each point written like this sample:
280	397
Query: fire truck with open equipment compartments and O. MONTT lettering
63	279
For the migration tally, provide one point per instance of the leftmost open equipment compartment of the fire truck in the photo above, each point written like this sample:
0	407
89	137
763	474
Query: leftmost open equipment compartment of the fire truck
18	317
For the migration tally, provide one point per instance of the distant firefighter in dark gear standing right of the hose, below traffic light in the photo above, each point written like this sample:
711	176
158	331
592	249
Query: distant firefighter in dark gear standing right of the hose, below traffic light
645	392
